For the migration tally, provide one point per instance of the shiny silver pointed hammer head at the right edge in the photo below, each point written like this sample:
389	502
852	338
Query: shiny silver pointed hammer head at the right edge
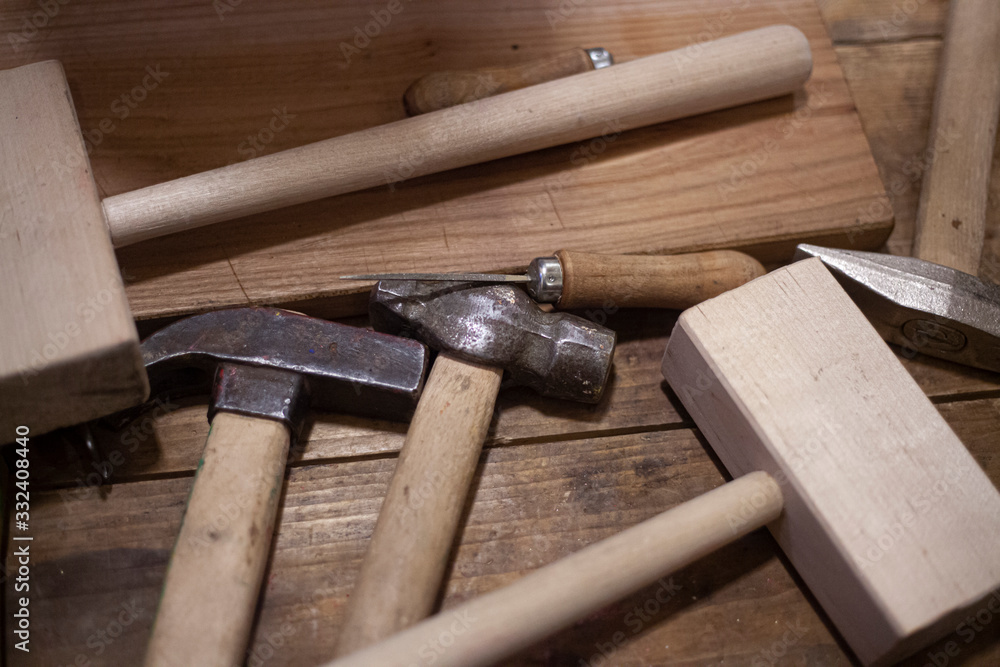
921	306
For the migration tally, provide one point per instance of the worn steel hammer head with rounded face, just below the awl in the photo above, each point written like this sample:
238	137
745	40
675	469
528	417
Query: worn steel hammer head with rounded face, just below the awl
556	354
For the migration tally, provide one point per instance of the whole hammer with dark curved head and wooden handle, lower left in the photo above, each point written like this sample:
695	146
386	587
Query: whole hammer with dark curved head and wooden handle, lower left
265	368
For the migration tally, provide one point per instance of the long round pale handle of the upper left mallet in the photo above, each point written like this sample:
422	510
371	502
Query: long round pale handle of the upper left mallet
734	70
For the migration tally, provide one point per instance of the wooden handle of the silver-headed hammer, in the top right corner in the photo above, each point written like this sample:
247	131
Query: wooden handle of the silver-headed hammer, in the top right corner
951	217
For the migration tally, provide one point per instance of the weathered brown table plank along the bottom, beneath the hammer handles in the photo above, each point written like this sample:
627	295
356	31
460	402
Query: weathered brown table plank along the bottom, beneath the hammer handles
102	558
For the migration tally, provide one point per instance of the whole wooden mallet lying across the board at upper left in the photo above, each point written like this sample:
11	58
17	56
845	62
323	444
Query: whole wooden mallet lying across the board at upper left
68	345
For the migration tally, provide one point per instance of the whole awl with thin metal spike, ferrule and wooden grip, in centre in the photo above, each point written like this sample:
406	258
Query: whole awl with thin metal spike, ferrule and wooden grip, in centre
583	280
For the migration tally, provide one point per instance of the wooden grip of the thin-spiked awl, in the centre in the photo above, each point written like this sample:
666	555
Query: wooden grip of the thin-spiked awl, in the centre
651	281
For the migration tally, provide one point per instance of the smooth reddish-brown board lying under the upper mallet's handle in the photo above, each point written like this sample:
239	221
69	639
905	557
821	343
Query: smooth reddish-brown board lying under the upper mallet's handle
759	178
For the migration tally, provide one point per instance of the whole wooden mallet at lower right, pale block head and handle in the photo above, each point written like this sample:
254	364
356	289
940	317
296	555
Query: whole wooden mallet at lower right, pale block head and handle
876	503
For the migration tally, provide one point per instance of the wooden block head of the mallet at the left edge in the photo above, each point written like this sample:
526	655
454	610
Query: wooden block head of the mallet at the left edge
69	351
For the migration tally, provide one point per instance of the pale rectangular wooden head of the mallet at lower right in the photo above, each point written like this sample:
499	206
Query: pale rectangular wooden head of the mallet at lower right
888	519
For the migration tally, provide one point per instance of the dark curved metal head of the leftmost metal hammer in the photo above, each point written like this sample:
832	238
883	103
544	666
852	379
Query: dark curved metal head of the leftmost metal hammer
274	363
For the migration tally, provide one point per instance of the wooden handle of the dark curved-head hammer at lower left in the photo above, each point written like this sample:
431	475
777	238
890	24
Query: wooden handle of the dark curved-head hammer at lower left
213	580
